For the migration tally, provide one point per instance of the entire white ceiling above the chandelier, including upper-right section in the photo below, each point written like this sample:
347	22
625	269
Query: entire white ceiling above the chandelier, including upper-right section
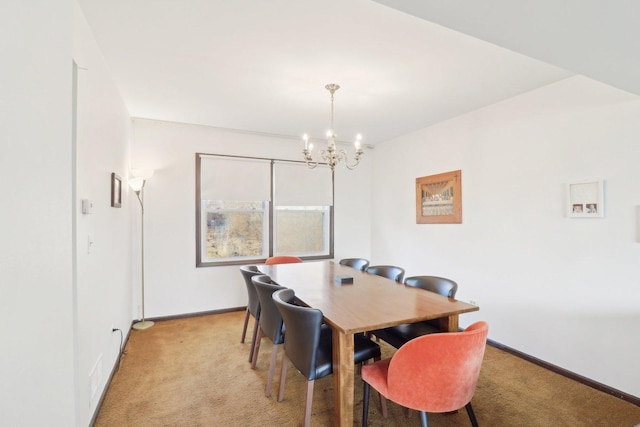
261	66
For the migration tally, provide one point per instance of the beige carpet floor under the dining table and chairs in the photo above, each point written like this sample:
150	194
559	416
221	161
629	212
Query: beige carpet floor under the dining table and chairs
194	372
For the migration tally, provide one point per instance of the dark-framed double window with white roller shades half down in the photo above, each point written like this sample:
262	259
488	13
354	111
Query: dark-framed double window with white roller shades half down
249	209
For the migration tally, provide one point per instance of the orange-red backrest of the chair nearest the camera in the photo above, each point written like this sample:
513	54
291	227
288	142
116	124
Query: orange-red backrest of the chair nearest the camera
438	372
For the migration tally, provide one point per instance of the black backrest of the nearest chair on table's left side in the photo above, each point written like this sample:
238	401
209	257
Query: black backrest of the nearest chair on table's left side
302	338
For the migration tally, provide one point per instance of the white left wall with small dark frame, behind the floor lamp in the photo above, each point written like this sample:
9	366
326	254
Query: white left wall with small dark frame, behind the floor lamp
104	276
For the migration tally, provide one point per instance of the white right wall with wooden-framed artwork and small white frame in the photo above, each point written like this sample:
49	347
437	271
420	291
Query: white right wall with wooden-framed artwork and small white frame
563	290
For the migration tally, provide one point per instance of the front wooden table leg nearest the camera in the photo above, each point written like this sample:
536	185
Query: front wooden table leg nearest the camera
343	377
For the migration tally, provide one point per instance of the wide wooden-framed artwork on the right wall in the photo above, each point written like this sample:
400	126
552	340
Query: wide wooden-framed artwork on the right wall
439	198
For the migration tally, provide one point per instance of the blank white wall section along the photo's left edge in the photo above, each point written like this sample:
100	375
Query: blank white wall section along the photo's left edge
36	259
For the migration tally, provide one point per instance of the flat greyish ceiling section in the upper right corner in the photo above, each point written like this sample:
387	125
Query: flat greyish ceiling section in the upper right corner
596	38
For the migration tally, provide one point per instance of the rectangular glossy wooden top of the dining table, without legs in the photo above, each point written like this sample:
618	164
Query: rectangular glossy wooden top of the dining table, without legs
370	302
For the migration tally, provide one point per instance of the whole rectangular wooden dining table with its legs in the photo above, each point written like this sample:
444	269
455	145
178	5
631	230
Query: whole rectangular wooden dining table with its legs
370	302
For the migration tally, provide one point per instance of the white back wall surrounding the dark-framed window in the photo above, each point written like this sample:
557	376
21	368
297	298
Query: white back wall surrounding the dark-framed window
173	285
